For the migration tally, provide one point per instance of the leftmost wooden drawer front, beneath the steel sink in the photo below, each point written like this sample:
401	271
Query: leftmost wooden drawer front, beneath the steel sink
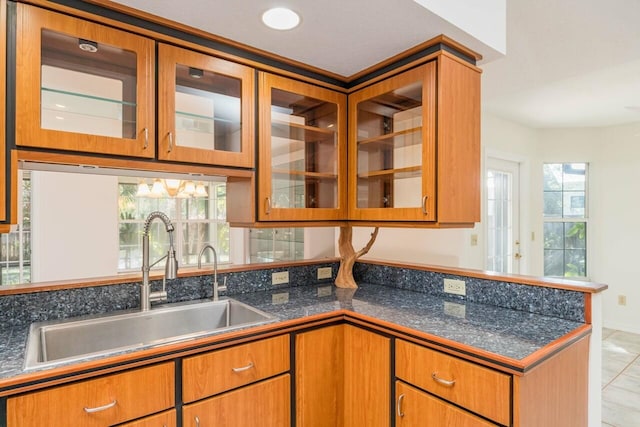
108	400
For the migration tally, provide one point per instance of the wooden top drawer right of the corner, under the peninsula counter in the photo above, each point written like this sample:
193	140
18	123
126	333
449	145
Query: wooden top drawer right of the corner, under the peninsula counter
479	389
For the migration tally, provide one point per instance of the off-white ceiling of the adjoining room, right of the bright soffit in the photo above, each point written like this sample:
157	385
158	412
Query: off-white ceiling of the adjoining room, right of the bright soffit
569	63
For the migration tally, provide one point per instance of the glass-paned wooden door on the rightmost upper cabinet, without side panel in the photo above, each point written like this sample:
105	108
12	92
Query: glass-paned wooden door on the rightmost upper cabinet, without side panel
392	156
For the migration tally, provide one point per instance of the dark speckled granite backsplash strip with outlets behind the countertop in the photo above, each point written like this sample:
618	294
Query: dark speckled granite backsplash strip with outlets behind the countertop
21	309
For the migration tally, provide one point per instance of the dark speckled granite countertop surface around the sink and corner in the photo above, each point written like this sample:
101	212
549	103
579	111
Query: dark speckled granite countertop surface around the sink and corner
505	332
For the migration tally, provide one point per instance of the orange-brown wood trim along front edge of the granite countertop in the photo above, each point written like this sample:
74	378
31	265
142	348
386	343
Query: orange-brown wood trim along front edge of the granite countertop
29	381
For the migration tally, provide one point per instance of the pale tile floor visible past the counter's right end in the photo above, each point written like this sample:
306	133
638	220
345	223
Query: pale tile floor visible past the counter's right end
620	379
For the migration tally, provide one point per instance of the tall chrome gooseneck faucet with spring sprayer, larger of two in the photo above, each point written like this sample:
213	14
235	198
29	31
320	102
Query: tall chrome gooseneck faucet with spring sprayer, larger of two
170	269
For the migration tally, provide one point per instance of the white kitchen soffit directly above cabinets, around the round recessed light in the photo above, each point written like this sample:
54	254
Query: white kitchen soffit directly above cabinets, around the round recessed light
342	37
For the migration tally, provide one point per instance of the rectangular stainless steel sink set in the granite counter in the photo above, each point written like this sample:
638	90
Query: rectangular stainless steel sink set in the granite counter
57	342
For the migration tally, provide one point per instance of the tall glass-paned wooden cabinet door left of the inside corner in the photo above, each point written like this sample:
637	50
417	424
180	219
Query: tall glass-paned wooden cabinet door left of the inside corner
302	172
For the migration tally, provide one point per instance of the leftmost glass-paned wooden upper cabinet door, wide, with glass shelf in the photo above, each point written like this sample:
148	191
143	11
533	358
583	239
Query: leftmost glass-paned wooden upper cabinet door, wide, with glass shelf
82	86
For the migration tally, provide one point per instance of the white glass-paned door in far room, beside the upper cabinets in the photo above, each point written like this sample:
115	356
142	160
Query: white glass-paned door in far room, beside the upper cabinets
503	251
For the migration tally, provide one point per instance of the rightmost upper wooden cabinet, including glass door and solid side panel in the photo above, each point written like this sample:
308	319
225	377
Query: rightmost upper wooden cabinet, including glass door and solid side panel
414	152
